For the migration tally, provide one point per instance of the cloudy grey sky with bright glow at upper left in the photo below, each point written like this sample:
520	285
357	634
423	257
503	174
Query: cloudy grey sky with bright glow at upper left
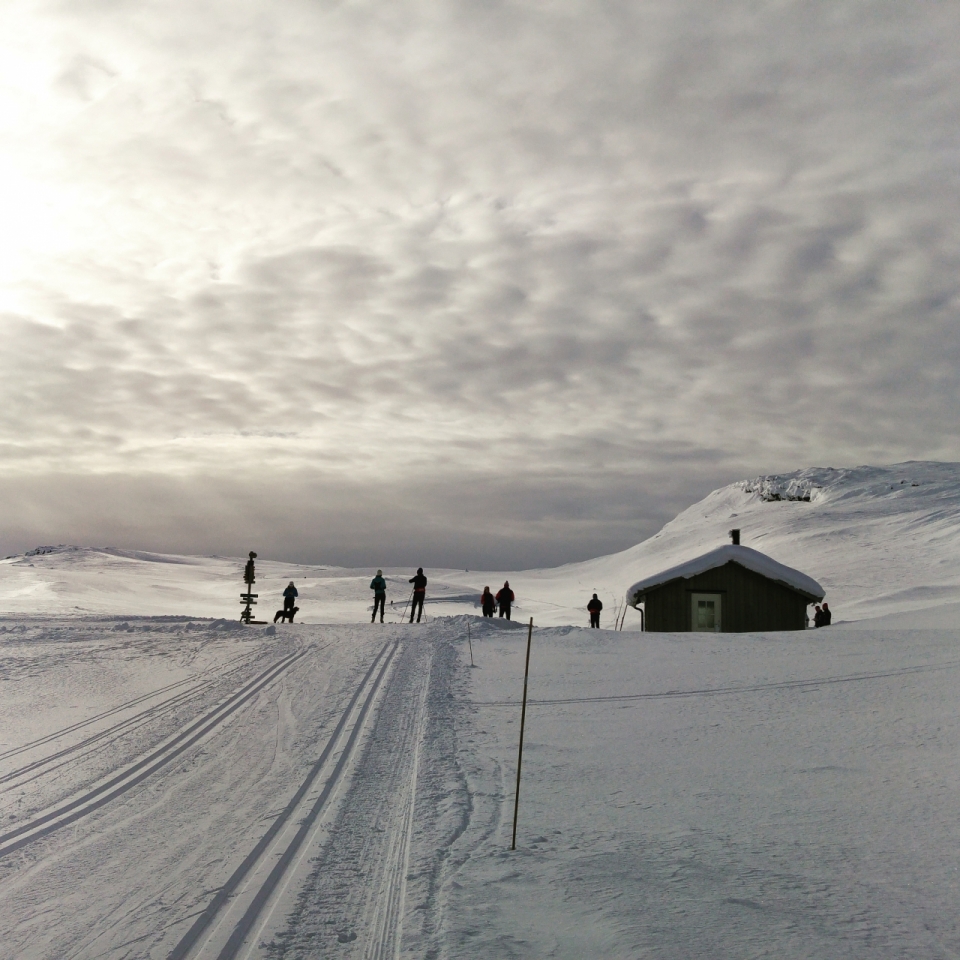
463	283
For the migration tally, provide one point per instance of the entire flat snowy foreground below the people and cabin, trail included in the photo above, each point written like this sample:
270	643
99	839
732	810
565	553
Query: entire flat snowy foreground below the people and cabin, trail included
787	795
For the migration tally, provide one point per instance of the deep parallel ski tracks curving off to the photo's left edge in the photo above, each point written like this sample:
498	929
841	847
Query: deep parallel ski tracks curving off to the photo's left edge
126	779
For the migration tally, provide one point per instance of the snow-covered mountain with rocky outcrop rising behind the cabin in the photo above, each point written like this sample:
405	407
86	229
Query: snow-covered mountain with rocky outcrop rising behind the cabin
881	540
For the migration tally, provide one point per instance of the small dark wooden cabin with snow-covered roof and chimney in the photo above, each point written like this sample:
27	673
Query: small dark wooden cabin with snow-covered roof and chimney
732	589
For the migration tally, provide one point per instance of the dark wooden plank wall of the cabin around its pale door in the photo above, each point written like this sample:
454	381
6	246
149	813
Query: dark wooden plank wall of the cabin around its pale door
750	602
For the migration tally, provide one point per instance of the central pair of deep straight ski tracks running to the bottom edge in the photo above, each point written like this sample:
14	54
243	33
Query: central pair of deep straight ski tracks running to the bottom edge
230	924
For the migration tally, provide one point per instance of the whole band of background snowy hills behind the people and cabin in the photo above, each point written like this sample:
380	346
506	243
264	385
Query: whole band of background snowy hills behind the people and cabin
881	540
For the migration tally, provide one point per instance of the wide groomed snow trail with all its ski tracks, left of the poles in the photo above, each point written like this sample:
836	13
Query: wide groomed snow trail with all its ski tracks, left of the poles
206	844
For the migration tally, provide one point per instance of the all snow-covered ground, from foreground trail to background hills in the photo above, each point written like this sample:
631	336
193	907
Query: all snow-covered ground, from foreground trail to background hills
175	784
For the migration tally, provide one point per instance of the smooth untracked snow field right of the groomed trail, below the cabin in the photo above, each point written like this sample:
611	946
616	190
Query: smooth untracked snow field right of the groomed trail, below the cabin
788	795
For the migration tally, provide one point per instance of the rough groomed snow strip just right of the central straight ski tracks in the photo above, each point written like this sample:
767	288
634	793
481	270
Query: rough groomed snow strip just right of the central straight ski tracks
356	900
